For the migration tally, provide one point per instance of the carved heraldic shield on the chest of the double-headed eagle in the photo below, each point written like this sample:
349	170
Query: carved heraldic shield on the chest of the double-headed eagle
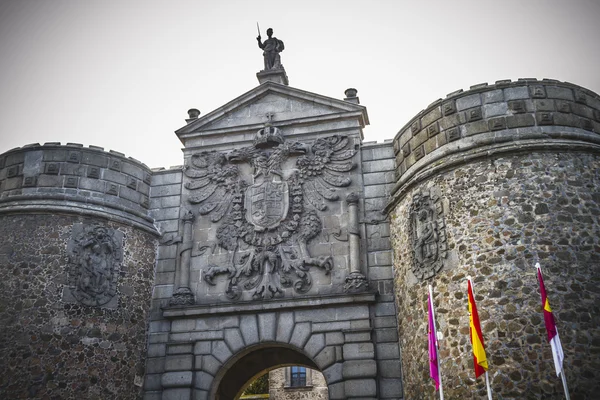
267	204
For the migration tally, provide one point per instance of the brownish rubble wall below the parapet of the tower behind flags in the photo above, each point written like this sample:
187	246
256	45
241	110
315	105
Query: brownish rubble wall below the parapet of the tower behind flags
501	215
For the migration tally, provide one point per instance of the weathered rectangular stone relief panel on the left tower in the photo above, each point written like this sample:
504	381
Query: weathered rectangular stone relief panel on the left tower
95	256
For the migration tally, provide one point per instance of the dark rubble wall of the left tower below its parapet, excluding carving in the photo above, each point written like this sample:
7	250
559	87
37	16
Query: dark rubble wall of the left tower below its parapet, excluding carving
50	349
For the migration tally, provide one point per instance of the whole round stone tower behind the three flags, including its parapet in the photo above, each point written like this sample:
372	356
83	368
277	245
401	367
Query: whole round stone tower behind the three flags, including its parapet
489	182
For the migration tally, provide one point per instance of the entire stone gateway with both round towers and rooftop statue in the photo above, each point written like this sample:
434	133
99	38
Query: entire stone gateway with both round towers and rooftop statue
285	240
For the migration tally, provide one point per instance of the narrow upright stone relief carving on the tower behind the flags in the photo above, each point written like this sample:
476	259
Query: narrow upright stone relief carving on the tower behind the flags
428	234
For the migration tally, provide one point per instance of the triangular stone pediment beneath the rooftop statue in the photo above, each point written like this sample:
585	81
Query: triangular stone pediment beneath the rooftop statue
287	105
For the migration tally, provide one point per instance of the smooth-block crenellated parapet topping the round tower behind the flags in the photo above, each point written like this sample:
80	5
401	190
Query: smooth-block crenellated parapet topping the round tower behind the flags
520	116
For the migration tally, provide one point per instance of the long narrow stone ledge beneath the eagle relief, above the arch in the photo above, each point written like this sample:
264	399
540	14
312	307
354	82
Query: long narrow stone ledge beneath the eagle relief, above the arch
278	305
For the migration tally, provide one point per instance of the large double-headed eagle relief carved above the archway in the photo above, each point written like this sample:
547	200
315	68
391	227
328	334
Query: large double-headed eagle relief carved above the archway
268	218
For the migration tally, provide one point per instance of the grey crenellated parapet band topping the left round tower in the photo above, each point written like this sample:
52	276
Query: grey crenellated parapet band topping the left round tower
75	179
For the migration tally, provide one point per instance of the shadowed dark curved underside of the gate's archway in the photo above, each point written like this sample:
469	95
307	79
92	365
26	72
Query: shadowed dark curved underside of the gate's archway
230	382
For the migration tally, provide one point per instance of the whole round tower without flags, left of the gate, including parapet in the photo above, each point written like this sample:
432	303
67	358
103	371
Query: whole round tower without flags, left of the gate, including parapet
76	269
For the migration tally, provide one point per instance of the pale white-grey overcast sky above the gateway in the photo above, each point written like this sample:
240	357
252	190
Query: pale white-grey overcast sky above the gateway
122	74
